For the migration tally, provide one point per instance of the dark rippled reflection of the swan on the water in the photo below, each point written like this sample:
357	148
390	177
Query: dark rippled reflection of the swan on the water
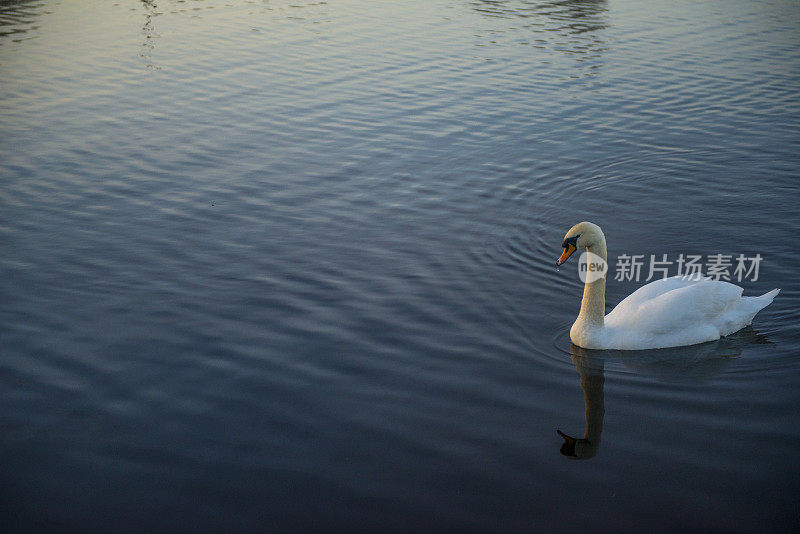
687	365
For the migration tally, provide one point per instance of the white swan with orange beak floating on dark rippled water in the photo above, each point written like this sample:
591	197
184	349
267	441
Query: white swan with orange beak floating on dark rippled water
672	312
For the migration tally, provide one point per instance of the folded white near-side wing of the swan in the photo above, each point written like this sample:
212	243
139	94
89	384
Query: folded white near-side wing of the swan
674	306
